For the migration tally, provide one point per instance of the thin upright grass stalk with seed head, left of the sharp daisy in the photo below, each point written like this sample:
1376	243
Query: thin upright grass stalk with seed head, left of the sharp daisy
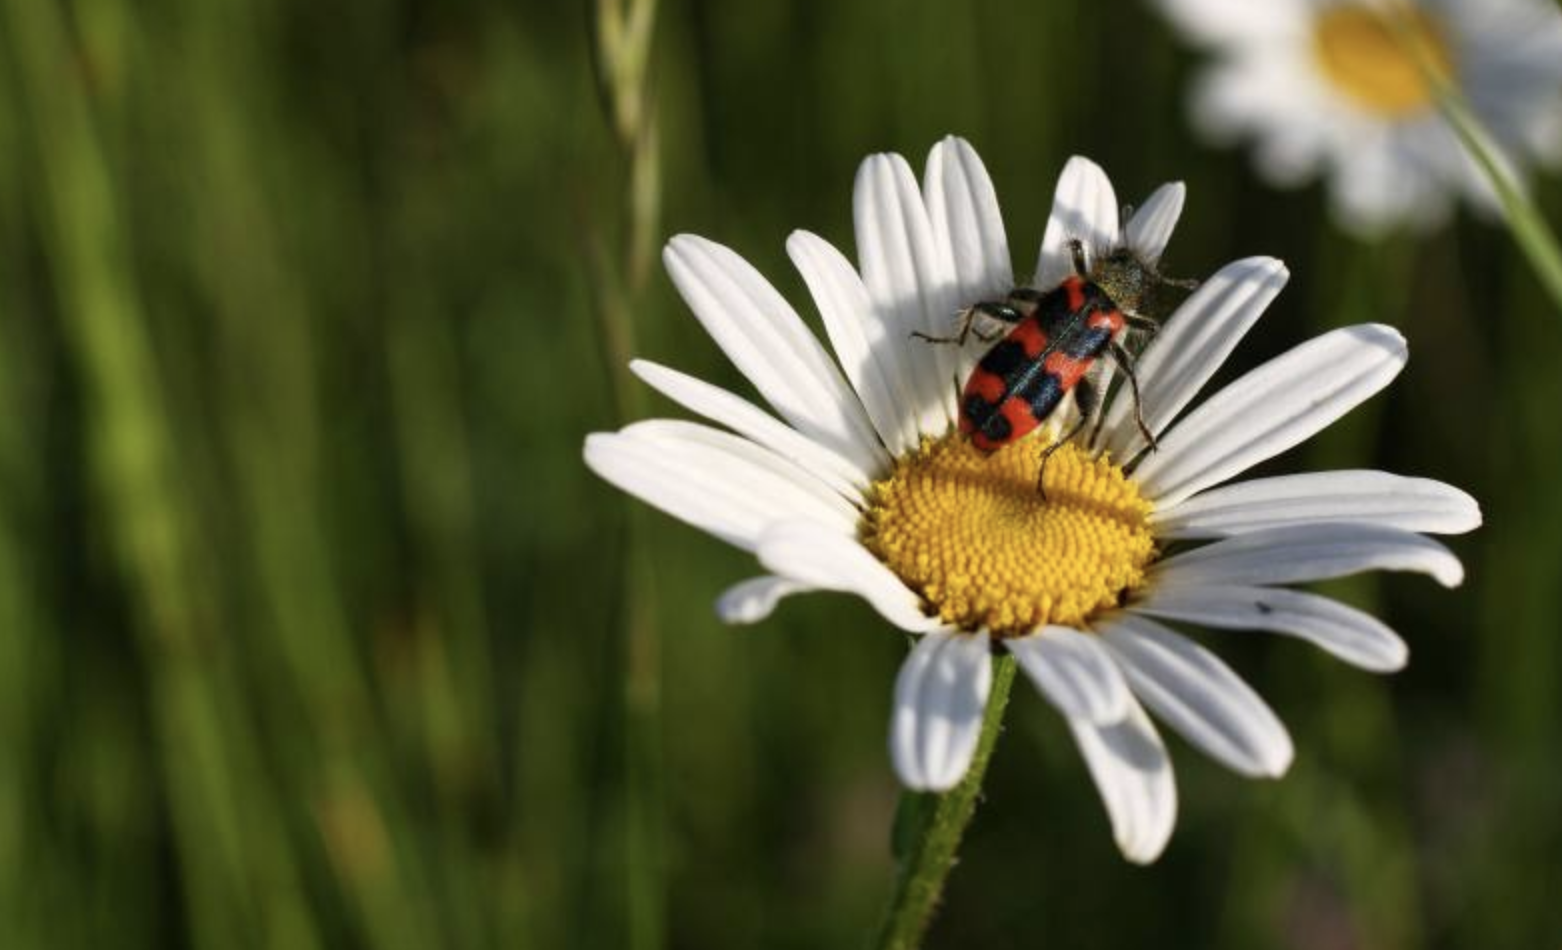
622	34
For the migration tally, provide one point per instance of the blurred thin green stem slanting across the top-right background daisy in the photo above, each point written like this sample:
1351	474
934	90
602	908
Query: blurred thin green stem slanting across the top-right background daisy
1525	223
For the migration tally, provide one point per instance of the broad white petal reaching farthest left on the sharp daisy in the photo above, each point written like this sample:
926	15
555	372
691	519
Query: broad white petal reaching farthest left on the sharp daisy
716	482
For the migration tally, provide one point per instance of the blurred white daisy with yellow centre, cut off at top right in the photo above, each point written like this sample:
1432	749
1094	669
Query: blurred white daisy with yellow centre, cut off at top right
1328	88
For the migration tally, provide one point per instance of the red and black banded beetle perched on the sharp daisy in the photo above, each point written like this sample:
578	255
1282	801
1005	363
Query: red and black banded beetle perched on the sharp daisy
1054	345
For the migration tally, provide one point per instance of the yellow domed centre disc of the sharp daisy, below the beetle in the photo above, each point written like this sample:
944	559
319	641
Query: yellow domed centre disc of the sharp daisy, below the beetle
972	535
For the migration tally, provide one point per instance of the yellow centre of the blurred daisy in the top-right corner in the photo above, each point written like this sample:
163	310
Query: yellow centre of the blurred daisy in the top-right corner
1374	62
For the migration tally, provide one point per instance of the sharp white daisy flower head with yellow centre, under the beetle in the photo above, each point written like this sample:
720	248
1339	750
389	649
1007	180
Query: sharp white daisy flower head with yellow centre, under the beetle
861	484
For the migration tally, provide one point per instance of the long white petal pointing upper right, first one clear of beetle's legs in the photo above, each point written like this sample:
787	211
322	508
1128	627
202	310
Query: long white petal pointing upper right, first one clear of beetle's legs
1272	409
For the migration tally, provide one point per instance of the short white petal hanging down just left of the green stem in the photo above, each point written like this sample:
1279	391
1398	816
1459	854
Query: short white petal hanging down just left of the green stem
941	696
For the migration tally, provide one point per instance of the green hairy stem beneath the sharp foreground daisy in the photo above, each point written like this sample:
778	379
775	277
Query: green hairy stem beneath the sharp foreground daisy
929	830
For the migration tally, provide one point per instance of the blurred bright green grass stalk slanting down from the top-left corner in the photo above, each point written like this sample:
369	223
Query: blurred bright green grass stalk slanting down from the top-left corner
230	849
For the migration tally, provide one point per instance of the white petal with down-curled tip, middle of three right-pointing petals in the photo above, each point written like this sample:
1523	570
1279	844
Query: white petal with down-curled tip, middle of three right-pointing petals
1300	554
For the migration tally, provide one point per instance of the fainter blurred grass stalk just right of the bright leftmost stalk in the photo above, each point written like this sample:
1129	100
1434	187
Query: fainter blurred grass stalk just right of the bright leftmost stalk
335	754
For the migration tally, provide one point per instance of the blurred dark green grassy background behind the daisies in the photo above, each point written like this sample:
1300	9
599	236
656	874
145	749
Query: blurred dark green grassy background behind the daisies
313	626
